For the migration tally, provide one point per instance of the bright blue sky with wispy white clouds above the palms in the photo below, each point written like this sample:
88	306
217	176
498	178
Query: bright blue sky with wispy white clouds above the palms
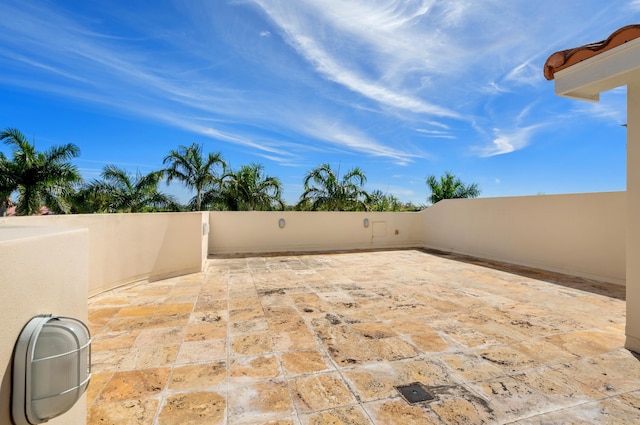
402	89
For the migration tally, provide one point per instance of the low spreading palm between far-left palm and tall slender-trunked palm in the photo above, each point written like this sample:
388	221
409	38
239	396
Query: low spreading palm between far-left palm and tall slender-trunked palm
132	193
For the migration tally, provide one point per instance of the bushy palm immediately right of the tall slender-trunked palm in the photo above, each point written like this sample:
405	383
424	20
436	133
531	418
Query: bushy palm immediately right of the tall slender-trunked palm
250	189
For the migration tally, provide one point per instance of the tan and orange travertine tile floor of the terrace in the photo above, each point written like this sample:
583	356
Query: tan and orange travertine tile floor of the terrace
324	339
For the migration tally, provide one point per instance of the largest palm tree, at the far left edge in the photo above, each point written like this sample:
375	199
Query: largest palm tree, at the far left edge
40	178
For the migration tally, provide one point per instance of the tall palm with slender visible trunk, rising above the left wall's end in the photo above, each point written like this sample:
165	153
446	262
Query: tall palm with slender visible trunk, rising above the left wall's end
196	172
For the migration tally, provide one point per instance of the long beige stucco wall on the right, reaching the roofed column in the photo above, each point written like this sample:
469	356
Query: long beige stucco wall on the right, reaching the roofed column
579	234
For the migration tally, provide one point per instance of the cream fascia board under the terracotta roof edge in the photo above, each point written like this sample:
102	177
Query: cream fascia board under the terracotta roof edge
587	79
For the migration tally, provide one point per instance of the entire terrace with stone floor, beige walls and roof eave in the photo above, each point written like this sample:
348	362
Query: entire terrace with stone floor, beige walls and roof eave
530	327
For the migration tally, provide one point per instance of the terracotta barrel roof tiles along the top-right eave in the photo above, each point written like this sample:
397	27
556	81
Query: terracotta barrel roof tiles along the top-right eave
566	58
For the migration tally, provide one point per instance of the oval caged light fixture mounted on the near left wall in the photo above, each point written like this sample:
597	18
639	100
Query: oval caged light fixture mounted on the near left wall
51	368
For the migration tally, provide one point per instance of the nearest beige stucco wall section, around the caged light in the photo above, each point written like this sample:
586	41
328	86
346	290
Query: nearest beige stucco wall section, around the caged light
43	270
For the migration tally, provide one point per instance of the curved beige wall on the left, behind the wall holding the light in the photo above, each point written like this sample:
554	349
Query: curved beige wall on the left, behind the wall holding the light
125	248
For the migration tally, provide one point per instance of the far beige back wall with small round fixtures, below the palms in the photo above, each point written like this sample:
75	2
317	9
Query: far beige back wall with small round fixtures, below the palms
258	232
